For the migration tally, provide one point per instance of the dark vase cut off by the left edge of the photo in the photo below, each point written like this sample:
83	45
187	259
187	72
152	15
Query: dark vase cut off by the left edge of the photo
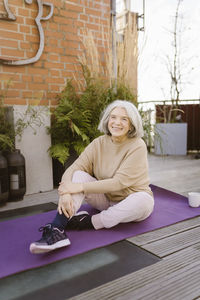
4	190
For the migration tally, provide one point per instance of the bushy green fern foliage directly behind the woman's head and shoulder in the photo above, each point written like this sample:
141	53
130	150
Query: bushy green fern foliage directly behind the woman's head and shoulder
76	118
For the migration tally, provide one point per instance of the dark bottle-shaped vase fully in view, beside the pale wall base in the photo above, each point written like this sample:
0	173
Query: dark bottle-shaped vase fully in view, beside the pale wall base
17	175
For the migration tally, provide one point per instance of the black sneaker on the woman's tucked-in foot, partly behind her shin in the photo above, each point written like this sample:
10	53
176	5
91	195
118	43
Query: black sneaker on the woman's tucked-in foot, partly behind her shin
80	221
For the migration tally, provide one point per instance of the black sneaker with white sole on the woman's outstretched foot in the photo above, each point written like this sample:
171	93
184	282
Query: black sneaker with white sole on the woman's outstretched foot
52	238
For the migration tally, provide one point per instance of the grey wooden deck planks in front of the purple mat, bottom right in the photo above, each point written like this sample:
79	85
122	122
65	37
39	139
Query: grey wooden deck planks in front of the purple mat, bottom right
176	276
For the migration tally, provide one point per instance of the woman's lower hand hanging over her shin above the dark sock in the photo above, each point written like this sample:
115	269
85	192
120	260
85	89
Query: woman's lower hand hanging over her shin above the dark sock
65	205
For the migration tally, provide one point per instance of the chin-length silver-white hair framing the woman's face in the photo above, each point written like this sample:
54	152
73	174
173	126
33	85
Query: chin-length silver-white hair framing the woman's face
133	114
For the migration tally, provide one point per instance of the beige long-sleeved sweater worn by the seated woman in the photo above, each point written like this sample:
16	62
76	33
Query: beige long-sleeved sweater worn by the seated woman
120	168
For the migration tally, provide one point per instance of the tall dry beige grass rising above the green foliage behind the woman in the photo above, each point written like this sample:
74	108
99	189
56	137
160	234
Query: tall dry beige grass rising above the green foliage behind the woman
98	58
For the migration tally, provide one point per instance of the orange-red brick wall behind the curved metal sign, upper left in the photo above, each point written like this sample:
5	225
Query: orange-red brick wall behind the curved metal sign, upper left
40	82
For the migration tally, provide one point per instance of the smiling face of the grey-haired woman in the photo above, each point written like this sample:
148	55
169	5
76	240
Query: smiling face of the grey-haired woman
119	124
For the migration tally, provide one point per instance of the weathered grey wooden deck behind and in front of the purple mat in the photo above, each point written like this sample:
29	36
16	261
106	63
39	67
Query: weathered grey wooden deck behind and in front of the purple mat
177	275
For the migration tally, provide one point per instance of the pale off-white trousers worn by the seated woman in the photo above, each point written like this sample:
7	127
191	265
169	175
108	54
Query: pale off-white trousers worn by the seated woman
136	207
